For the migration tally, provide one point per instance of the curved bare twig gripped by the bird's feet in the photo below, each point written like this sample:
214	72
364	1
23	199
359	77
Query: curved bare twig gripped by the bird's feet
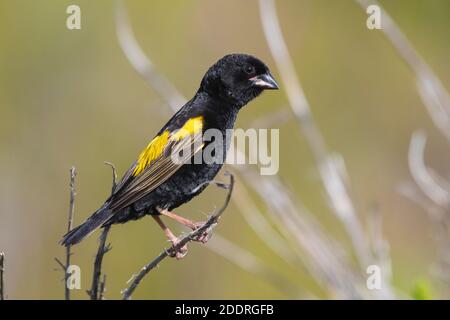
208	225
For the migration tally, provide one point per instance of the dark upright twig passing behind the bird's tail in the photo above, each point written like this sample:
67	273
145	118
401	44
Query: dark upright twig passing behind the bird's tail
97	287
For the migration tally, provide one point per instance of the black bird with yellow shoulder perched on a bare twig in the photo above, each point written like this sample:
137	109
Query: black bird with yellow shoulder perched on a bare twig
164	176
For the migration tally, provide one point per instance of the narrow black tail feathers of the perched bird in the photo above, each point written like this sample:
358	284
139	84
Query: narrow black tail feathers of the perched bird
86	228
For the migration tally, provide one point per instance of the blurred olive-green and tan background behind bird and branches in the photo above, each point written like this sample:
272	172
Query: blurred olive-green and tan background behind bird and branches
70	97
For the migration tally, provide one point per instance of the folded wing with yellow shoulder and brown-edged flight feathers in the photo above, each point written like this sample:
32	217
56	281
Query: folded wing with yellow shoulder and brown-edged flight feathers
164	155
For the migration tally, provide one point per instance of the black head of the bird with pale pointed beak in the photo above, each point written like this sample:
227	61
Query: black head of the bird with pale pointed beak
237	78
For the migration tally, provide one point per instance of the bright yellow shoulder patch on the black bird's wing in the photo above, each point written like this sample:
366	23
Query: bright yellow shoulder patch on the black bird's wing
156	147
